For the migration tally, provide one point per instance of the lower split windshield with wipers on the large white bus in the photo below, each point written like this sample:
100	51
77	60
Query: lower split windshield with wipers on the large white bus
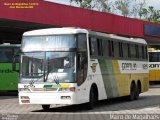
48	67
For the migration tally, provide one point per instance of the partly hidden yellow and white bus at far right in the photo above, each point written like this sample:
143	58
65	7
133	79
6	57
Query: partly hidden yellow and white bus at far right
154	63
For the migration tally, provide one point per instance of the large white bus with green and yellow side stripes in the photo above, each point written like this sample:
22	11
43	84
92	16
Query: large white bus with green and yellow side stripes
75	66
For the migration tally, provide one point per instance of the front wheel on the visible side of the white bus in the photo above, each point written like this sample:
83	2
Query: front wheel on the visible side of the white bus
92	99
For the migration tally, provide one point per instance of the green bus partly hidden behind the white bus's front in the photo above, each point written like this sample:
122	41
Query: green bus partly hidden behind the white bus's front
8	77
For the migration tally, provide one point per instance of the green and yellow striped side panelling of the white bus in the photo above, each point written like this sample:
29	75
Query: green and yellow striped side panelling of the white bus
117	83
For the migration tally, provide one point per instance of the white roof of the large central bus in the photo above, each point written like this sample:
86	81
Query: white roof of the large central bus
72	30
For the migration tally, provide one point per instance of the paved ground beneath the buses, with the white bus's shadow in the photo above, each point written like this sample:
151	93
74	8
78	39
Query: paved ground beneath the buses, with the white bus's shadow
147	107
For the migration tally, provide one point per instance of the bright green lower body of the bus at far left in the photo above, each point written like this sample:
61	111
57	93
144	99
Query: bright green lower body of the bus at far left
8	78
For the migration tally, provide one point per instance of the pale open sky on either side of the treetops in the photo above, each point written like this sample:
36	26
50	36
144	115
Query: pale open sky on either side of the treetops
155	3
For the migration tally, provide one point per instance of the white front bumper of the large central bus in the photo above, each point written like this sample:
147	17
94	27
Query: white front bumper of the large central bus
47	98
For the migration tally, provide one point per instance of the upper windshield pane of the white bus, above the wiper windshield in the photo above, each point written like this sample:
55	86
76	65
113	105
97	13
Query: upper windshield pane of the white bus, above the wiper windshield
48	43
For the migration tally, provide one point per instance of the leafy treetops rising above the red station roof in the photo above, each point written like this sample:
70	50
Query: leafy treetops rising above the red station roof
127	8
